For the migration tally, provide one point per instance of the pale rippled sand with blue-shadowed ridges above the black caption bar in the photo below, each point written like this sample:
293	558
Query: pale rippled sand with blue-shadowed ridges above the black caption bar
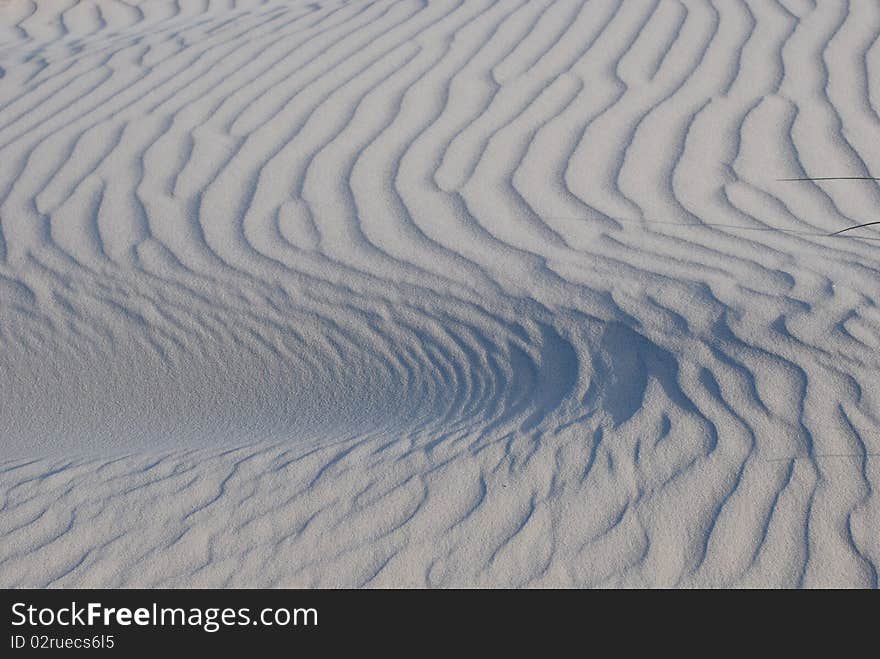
439	293
